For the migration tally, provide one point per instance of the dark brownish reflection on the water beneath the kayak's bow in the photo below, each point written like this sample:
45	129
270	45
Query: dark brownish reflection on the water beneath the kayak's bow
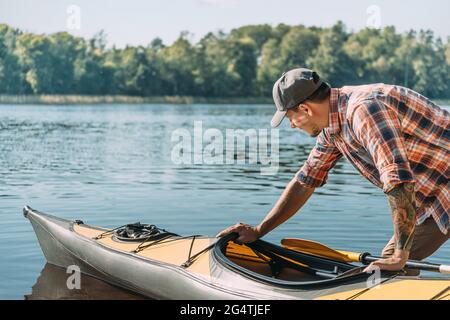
51	285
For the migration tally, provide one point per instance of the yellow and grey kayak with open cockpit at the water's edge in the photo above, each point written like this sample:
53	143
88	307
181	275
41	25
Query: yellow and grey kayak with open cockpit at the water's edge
158	264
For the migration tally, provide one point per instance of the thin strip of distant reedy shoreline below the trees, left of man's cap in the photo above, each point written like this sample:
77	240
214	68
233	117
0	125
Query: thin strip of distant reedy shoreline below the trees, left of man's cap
112	99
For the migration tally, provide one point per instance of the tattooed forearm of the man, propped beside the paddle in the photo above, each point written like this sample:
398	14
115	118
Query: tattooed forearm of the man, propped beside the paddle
403	209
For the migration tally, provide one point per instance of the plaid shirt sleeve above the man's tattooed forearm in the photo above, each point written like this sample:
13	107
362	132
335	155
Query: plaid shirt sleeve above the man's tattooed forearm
378	129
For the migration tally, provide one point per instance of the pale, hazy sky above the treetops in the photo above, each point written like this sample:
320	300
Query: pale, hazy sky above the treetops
137	22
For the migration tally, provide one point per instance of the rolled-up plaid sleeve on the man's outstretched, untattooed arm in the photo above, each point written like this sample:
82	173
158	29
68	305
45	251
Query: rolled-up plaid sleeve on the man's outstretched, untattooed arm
322	158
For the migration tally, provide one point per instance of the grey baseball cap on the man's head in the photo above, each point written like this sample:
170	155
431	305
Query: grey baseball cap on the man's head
294	87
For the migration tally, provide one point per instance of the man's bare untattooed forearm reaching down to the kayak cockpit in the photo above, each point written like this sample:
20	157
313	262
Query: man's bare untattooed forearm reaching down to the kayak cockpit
291	200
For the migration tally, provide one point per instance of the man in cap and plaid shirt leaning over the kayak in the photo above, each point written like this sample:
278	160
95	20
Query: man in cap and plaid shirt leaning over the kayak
396	138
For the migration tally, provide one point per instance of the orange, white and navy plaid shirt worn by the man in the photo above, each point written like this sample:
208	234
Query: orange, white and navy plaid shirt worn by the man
391	135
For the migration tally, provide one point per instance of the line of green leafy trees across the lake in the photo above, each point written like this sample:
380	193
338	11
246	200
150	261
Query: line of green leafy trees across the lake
242	63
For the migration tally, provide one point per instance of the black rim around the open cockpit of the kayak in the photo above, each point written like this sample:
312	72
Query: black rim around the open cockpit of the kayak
220	256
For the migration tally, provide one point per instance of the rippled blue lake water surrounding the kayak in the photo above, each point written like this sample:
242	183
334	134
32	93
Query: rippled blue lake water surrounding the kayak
112	165
